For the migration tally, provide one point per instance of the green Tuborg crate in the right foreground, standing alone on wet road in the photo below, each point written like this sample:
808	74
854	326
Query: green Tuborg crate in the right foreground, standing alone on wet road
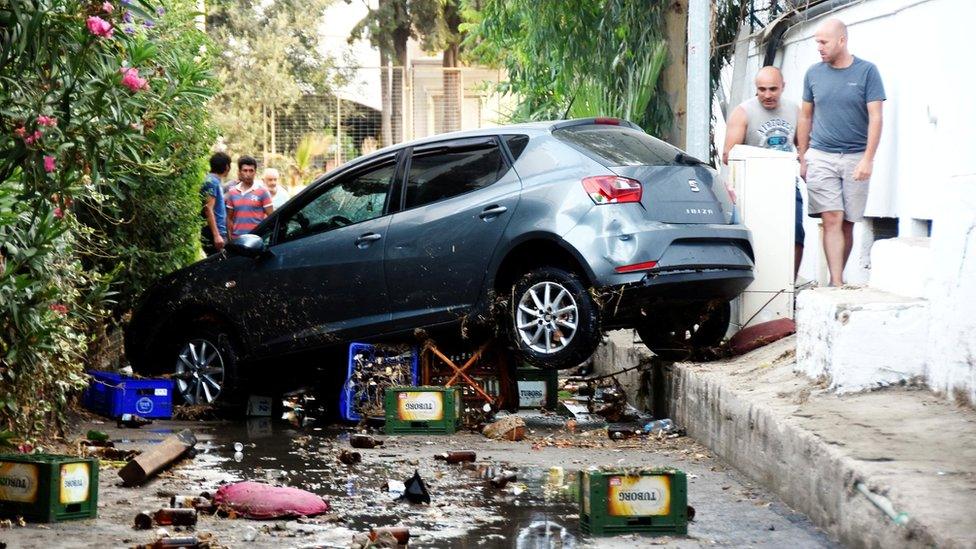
649	500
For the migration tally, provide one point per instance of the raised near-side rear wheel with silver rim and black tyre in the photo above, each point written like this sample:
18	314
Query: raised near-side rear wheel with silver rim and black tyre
554	321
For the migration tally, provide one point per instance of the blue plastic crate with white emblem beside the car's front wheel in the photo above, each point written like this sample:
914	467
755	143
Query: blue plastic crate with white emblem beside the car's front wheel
112	394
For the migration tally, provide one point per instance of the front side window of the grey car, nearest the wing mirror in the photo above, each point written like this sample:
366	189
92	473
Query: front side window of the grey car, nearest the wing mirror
354	199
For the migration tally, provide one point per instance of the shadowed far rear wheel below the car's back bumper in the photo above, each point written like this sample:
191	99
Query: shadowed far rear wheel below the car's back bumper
675	332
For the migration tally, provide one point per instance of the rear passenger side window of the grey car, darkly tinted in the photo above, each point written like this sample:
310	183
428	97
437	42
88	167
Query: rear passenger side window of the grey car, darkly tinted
442	174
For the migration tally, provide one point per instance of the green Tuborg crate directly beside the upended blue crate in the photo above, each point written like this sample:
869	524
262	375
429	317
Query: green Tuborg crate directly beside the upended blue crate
422	410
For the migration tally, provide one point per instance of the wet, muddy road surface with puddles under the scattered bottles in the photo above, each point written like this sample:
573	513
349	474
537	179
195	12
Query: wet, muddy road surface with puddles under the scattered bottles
465	511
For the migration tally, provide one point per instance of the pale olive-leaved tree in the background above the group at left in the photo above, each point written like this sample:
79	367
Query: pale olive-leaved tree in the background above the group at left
268	58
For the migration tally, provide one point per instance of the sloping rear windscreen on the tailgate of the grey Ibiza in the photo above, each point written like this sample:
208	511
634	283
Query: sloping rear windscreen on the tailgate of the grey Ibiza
618	145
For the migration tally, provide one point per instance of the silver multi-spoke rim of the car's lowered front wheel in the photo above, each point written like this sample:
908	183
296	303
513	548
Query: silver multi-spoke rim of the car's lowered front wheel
199	372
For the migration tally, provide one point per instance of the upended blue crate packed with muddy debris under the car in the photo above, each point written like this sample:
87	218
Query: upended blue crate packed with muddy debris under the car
371	369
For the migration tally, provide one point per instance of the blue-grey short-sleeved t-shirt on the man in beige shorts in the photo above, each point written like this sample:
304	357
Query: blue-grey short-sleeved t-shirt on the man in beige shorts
840	98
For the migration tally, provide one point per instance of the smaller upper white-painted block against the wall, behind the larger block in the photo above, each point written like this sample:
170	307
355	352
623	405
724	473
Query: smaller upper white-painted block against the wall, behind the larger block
902	266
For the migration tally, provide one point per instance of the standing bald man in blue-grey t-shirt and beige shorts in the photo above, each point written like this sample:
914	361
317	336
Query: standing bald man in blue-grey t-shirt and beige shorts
837	136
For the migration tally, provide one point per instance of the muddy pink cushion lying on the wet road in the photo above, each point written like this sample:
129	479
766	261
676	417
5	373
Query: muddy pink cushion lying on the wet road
257	500
